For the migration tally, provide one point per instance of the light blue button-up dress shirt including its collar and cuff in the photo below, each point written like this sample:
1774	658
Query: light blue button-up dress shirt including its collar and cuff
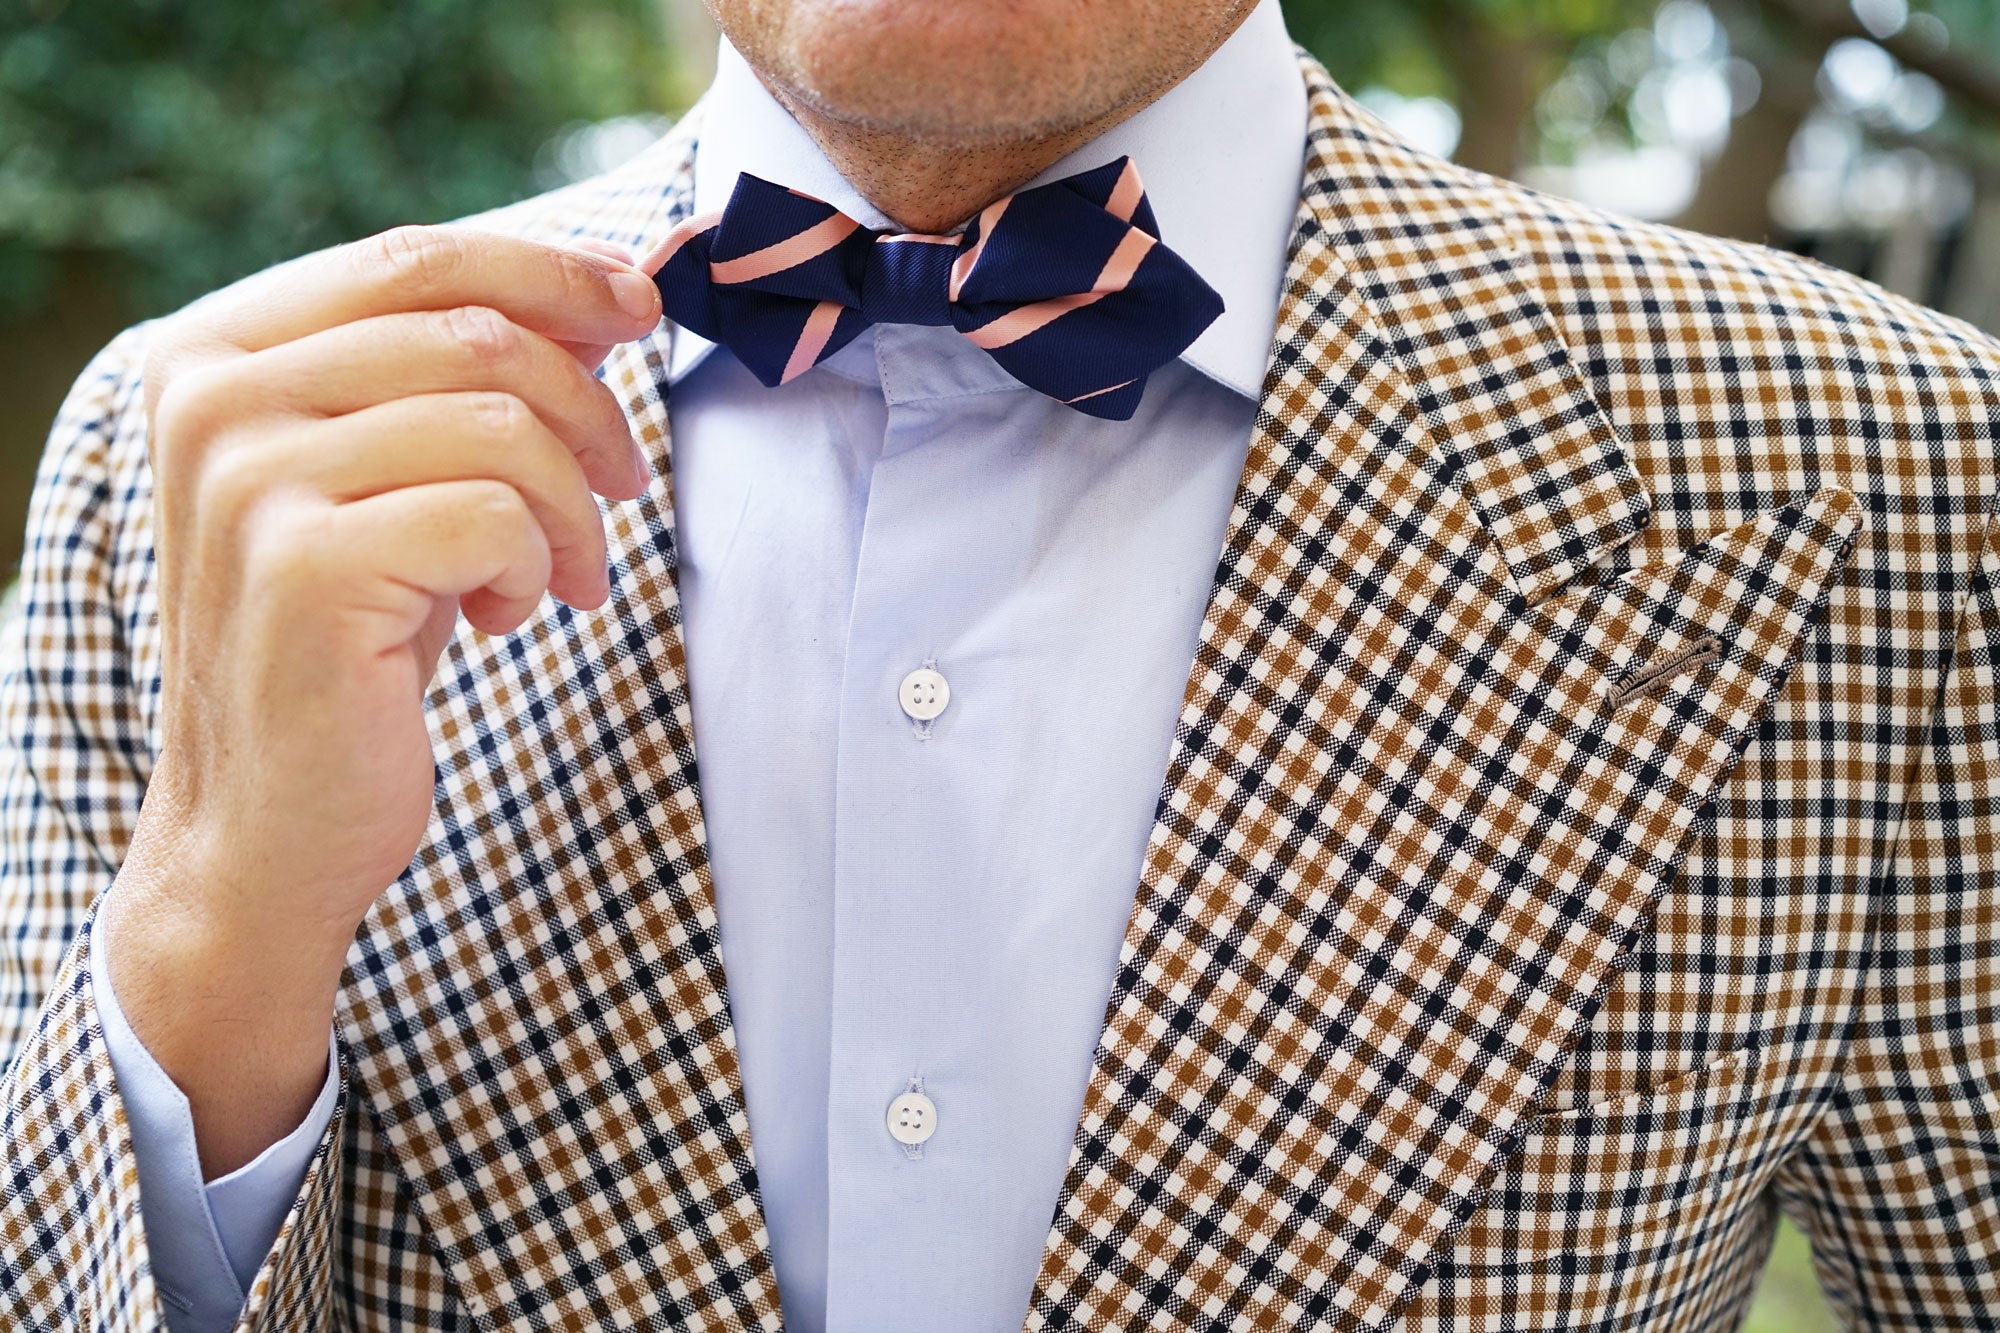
909	906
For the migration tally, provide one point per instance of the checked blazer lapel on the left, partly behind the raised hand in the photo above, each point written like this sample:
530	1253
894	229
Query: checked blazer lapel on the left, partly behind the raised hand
537	1010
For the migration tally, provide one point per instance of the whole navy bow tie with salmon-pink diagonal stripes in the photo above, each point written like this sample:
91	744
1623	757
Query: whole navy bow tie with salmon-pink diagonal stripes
1065	285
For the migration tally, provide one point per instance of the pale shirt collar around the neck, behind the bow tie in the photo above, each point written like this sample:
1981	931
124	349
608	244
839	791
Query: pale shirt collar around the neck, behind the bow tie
1221	157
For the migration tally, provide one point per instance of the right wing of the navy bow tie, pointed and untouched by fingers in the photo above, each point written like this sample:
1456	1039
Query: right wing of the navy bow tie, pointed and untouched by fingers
1077	297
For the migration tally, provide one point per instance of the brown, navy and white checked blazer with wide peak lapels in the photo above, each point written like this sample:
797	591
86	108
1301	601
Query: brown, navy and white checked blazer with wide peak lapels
1579	842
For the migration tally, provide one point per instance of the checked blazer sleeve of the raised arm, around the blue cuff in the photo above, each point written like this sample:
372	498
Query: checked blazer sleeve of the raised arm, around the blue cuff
75	758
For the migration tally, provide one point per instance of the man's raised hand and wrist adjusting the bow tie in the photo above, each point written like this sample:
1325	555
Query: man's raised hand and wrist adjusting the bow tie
349	453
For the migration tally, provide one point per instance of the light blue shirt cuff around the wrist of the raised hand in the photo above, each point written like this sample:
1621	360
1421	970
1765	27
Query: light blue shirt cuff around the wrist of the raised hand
207	1240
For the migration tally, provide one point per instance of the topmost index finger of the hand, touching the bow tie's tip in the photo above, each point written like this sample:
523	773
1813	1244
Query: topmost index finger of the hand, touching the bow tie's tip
569	295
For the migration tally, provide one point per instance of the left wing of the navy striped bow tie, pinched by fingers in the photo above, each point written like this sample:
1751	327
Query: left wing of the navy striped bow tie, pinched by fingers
775	277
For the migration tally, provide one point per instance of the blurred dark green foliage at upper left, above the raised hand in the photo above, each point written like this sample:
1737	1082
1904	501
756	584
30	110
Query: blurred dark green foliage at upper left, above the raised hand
195	141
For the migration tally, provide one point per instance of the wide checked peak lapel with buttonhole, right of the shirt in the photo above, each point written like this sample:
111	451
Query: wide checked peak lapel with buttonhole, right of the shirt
1415	808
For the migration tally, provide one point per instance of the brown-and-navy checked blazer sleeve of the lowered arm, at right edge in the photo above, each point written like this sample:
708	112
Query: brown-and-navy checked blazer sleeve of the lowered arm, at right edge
1899	1186
